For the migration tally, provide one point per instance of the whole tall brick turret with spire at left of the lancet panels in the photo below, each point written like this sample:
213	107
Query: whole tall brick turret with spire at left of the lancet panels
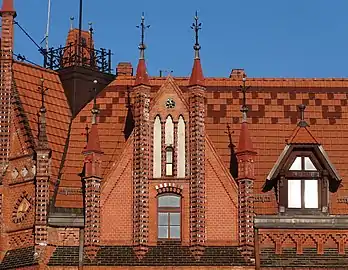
141	166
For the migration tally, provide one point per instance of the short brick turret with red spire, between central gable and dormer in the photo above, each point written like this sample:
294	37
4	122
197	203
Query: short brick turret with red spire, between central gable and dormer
246	176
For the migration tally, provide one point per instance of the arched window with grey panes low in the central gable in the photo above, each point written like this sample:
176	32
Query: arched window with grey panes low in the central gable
169	217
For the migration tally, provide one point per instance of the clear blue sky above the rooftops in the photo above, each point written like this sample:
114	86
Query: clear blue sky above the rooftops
268	38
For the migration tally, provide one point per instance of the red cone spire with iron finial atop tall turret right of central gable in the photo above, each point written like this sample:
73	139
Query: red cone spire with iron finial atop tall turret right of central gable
197	77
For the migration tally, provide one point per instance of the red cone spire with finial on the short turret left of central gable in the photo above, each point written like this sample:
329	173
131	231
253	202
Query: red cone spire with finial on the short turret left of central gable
93	144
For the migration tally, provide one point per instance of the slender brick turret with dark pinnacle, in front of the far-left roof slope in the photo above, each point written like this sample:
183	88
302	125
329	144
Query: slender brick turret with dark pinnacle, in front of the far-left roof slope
43	172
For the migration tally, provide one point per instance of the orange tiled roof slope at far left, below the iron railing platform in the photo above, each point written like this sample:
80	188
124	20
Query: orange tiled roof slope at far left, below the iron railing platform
27	78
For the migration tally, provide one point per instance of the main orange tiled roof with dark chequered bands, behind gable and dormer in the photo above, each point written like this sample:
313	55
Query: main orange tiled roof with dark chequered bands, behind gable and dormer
272	117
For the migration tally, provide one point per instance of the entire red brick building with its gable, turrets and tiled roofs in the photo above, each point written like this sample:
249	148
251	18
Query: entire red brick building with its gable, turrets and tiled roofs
71	203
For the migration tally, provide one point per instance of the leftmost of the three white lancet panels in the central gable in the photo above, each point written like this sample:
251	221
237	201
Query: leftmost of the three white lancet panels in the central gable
157	149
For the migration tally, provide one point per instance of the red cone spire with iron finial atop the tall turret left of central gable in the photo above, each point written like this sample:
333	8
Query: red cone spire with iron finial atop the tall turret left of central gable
141	76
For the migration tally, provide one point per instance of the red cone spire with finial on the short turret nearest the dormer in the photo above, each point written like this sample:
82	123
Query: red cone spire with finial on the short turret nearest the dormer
245	144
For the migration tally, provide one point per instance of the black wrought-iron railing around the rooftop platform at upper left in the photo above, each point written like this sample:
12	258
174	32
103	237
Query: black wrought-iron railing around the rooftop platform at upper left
78	55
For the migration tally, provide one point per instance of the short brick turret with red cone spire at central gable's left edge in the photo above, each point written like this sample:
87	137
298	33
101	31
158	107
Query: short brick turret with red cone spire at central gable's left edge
92	180
